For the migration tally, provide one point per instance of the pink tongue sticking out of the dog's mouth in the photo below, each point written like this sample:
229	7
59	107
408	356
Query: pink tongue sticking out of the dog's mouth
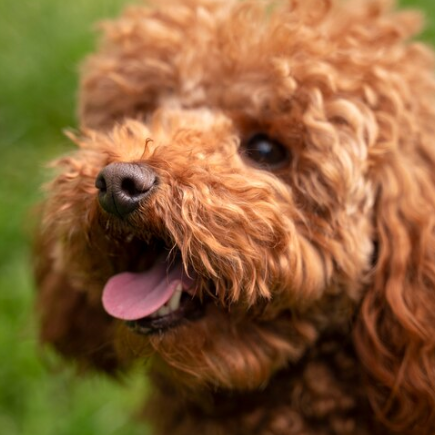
131	296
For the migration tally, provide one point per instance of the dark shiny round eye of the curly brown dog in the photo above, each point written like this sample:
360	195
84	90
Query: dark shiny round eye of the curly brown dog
265	151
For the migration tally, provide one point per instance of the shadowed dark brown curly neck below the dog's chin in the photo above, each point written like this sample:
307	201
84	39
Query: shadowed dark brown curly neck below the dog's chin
321	395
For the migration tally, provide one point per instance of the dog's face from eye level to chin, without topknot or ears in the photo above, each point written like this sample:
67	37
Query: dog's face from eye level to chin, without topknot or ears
221	215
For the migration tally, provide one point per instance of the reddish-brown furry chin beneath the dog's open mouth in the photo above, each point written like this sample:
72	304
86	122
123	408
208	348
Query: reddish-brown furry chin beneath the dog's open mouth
215	351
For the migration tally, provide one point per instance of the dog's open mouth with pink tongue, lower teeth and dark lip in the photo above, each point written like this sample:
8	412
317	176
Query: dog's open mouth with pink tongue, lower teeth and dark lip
156	299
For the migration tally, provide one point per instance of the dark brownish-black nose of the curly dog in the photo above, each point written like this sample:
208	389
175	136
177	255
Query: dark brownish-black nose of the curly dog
122	186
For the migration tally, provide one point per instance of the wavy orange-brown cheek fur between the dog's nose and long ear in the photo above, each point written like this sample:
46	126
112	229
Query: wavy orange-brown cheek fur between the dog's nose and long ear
246	235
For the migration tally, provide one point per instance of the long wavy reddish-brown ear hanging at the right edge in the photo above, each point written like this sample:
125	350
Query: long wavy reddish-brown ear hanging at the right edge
395	328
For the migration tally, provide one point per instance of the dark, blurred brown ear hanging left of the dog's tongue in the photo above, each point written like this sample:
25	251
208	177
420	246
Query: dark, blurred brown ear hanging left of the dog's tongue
69	320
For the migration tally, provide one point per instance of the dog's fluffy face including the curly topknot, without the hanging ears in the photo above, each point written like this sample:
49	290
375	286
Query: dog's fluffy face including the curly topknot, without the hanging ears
221	205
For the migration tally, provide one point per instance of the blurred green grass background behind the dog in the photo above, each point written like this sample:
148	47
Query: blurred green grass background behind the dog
41	45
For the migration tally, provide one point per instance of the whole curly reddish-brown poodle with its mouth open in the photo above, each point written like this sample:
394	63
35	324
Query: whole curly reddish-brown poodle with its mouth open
251	210
